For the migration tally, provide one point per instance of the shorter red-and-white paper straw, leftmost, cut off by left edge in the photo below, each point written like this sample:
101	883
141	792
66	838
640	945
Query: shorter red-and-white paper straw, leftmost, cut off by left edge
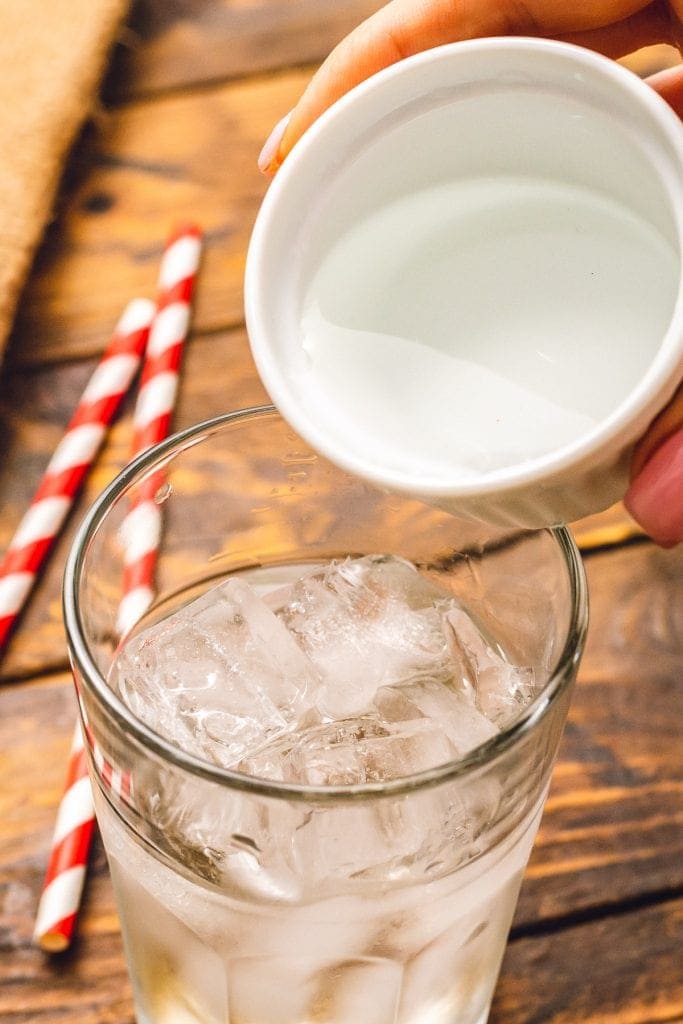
72	460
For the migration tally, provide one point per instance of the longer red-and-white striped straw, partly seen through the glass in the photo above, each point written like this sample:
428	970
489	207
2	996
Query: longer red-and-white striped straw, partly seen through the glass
142	532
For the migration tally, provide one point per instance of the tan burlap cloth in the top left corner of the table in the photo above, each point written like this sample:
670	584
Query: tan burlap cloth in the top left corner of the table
53	54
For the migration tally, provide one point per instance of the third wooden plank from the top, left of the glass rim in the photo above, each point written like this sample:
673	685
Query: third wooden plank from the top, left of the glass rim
35	407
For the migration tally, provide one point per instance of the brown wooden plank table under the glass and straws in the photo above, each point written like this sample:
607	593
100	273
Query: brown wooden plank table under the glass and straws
194	91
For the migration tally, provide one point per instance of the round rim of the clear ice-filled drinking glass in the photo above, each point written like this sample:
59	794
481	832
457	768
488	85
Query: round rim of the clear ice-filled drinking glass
116	710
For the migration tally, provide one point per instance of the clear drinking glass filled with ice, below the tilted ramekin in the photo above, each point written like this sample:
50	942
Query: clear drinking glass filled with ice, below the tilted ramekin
253	902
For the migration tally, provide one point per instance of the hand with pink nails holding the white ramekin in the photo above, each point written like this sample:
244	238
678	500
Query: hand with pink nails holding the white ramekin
615	28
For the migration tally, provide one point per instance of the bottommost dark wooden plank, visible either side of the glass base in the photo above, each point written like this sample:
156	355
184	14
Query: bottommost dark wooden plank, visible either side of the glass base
622	970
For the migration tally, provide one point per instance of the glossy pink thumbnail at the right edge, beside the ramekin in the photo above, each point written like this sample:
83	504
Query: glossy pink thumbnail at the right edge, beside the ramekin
656	496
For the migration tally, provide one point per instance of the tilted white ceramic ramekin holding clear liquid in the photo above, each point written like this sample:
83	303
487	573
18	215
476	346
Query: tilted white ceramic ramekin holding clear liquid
410	126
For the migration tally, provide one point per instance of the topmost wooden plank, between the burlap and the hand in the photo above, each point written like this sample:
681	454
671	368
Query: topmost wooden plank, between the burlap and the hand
192	42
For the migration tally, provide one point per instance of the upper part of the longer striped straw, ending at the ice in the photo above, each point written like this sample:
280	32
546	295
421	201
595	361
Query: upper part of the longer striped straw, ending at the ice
152	419
